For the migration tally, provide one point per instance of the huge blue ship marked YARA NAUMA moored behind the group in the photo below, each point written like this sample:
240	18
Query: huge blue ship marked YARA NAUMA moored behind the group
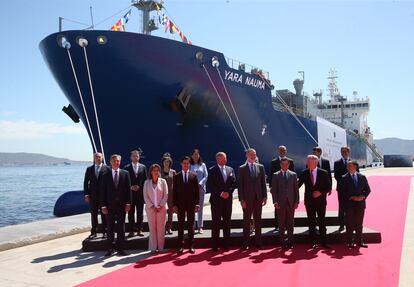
135	90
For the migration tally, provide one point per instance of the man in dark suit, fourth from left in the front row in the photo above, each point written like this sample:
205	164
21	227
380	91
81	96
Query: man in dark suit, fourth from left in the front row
221	183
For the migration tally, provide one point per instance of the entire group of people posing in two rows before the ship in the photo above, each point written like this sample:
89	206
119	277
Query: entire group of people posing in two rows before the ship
117	192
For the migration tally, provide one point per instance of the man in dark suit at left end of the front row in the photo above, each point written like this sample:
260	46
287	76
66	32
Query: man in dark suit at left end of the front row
115	201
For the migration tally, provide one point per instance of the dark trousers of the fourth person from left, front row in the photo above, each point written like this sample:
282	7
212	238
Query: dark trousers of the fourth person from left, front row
221	214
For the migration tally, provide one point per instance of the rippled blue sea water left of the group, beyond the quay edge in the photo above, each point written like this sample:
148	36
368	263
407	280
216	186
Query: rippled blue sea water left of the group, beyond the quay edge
28	193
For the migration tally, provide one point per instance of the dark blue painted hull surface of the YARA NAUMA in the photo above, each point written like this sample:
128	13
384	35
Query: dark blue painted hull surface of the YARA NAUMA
136	80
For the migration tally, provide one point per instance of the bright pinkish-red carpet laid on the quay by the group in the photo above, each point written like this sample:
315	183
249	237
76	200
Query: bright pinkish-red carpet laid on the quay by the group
376	266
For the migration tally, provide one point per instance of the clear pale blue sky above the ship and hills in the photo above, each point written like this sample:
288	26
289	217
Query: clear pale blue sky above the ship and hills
369	43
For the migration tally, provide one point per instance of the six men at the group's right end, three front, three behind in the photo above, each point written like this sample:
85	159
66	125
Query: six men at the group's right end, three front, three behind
352	190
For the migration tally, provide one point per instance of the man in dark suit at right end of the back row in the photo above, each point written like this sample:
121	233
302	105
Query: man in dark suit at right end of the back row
340	168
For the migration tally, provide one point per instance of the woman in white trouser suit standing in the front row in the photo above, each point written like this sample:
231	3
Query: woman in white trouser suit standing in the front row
155	196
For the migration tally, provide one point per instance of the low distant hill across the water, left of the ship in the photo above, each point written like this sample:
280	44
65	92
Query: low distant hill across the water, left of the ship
22	158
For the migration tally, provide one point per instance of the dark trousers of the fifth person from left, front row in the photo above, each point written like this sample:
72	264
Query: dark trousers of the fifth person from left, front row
253	208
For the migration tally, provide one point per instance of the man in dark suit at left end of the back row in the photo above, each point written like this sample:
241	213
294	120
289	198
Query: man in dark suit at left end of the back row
91	181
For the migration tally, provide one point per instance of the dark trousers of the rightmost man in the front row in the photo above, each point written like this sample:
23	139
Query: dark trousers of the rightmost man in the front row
354	222
